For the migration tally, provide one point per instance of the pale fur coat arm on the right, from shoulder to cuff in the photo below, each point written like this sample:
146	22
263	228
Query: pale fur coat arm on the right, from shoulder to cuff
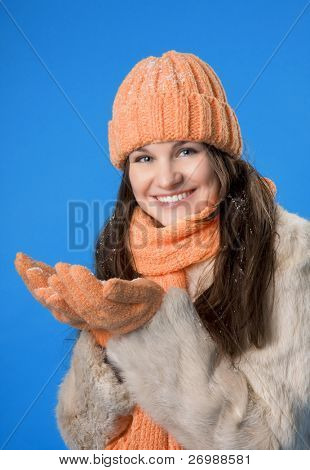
168	365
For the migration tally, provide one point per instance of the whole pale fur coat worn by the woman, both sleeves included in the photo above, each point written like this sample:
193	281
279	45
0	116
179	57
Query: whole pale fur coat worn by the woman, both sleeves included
168	368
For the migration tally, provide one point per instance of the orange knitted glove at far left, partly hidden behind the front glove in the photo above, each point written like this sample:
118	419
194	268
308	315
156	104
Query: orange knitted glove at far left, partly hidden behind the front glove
36	276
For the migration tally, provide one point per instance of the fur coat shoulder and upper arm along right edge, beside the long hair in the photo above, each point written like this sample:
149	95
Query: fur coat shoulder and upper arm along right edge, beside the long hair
279	373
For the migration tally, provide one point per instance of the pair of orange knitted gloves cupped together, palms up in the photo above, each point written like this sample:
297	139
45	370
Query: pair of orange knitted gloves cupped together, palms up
76	297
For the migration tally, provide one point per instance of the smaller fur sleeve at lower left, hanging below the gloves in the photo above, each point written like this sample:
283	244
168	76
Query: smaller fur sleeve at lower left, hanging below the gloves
93	405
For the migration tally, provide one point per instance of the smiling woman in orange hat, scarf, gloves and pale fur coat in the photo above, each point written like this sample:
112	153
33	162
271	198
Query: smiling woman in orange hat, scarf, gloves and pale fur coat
195	329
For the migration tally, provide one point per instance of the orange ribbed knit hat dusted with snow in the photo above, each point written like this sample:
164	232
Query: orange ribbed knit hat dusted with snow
173	97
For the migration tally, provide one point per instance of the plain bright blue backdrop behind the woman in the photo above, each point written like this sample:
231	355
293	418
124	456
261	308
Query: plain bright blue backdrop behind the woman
62	63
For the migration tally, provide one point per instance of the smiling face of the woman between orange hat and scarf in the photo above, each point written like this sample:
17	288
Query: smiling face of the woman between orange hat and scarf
172	168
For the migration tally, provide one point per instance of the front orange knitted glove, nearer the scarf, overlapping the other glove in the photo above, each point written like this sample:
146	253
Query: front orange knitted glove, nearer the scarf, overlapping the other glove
116	305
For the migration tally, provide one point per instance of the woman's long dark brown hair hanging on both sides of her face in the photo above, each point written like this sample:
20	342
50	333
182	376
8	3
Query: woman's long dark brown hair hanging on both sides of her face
234	308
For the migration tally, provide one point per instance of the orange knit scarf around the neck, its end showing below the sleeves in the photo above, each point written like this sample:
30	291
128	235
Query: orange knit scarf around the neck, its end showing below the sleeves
162	254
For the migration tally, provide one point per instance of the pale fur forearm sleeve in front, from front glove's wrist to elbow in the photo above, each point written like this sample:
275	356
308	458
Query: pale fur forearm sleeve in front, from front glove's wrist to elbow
169	367
